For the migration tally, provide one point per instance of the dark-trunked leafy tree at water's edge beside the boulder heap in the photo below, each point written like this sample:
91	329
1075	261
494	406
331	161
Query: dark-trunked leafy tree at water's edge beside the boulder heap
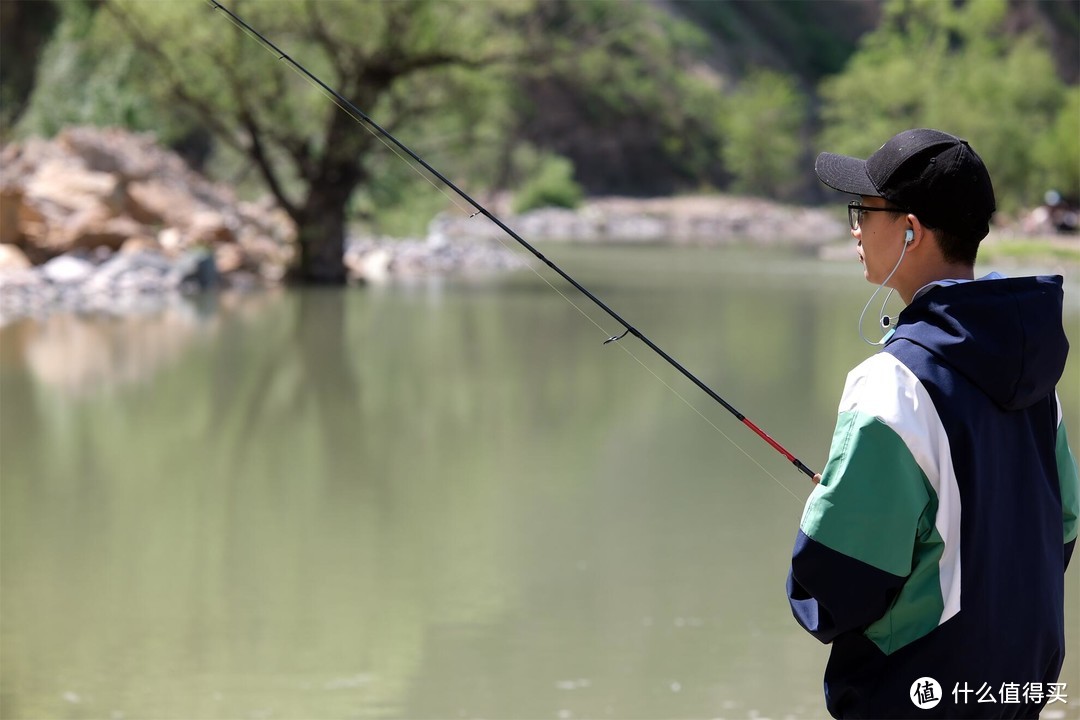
396	61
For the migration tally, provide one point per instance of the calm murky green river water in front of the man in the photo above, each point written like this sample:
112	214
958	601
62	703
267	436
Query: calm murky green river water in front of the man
434	500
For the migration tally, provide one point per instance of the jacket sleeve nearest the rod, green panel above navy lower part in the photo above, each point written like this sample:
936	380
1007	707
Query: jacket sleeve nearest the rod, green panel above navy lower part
857	539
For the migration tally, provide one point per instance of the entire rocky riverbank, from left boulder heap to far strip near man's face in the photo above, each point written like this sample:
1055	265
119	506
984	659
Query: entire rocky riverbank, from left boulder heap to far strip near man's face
107	222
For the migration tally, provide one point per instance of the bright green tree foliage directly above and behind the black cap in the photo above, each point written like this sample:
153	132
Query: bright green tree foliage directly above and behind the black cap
951	66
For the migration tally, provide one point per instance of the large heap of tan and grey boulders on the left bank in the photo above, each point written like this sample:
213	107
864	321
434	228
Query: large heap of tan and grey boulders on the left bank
105	221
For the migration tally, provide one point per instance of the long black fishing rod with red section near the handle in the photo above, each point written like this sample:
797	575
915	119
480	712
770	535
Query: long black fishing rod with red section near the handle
360	115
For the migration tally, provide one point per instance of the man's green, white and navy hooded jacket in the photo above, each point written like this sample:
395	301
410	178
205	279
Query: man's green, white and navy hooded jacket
937	542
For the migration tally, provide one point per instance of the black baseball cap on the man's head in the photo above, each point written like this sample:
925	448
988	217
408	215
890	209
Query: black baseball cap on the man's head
934	175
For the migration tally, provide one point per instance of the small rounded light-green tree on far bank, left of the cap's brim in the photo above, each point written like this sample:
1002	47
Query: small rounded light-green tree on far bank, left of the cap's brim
762	146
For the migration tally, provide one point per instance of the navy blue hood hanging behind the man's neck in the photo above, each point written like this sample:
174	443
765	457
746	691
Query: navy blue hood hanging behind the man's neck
1005	335
